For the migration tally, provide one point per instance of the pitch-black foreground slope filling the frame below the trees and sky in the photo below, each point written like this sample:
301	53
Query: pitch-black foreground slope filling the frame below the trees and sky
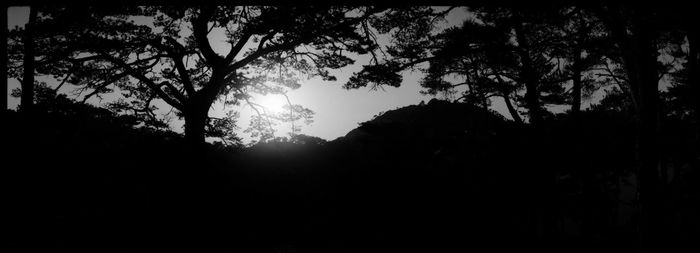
432	178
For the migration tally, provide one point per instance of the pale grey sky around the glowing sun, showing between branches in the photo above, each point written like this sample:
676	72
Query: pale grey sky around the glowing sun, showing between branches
337	111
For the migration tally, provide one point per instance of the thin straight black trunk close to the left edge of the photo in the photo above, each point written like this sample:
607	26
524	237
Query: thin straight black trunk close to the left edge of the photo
27	99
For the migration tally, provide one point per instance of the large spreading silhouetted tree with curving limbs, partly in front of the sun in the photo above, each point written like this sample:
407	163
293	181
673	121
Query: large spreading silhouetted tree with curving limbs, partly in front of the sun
161	60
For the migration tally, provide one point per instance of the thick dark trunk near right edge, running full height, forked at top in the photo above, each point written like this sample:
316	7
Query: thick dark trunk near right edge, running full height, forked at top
640	57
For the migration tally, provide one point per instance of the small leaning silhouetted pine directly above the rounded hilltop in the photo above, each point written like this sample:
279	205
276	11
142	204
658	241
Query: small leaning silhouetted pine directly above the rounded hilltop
478	54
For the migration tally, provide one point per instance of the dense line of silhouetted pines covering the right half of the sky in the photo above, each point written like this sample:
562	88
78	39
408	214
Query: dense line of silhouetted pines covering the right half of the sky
642	56
